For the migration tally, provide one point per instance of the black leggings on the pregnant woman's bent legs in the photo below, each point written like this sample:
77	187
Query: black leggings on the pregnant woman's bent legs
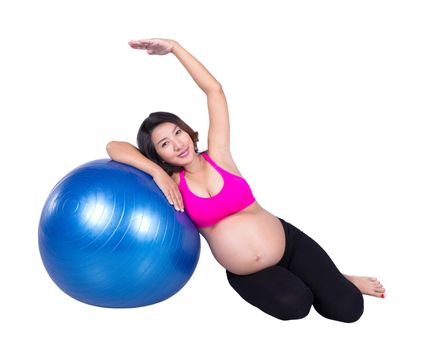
305	276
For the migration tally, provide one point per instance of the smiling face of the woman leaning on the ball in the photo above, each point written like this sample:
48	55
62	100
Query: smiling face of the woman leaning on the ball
170	142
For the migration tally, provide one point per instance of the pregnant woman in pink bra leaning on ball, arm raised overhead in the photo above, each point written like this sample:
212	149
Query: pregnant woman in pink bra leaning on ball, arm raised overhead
270	263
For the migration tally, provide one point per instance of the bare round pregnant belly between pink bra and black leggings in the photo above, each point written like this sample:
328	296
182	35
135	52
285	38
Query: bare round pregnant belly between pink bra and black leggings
247	241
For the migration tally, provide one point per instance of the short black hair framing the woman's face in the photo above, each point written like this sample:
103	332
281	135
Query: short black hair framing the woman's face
146	146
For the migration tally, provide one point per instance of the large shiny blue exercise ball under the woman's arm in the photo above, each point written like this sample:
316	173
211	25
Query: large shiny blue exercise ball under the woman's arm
109	237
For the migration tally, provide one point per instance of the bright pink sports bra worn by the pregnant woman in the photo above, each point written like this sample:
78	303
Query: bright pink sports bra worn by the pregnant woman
206	211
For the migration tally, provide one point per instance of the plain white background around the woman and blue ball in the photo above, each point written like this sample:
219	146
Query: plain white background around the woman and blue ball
325	105
